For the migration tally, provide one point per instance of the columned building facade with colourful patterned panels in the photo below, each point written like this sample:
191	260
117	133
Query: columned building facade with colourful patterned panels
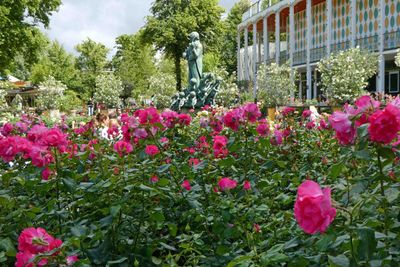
313	30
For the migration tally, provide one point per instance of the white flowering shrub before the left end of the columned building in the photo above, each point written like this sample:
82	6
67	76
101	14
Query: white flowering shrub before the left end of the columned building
275	84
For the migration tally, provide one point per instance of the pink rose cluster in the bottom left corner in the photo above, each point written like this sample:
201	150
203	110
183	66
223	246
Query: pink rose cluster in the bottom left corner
33	242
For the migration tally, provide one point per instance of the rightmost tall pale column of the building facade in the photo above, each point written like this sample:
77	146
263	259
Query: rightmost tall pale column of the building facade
381	71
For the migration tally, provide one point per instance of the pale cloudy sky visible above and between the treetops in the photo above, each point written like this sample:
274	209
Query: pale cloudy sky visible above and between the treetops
101	20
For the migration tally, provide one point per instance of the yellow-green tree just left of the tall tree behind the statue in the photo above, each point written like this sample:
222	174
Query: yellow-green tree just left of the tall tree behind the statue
133	63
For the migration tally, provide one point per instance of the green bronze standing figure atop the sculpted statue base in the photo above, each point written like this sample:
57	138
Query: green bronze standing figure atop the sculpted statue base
194	56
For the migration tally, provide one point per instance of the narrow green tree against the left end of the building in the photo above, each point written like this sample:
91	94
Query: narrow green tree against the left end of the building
229	47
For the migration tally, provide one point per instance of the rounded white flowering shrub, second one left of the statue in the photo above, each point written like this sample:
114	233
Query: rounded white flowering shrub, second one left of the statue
108	90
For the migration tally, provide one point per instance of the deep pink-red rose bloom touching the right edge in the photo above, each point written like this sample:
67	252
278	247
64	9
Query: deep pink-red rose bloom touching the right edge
384	125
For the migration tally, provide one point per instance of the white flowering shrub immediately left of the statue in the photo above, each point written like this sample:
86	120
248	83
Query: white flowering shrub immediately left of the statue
162	88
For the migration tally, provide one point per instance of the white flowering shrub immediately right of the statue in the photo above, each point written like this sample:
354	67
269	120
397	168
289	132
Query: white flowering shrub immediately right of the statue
228	95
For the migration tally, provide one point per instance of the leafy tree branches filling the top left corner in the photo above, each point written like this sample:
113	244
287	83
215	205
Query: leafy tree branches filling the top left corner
18	31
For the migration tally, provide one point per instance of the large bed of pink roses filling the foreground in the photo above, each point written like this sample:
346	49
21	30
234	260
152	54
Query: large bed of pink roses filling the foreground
222	188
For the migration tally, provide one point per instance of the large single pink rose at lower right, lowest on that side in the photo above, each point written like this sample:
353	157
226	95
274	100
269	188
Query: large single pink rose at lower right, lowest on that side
313	209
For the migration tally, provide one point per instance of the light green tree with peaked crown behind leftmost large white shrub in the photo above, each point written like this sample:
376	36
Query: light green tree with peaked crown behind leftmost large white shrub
58	63
